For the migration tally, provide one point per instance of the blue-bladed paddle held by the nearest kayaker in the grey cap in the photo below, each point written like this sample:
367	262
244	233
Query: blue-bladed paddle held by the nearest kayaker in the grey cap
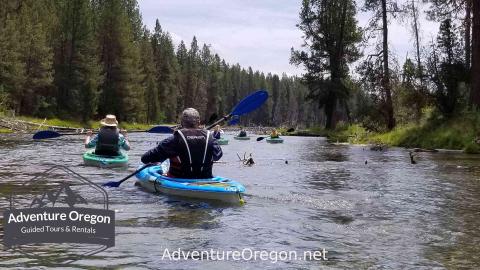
246	105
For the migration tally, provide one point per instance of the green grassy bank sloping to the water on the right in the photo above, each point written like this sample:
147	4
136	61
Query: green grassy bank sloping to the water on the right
434	133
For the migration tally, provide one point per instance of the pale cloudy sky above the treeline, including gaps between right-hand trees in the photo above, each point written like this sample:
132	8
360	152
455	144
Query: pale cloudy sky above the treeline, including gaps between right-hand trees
256	33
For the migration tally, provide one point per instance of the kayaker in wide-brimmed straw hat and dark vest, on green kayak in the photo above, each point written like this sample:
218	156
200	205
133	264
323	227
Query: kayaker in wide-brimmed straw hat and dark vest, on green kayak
109	139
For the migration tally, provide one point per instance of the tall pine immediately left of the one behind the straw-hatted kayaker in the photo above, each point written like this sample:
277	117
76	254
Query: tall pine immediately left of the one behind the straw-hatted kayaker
77	71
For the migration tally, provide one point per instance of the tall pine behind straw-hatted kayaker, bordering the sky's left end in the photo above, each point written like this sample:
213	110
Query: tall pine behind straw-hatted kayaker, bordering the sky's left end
122	86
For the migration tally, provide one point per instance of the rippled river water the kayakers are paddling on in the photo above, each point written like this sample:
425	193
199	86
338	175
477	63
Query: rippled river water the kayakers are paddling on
386	214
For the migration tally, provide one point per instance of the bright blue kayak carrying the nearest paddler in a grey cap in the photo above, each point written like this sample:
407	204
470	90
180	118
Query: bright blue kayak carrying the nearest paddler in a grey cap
216	188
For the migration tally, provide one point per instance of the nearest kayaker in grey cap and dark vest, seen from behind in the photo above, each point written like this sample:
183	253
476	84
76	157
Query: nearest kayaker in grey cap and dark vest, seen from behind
191	150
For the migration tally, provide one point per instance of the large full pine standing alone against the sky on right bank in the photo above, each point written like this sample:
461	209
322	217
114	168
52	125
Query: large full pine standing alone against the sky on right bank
331	35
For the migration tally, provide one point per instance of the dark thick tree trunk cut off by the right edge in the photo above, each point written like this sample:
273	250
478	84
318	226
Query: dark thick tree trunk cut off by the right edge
475	91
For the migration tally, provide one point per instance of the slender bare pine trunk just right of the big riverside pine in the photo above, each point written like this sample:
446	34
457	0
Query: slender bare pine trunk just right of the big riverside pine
386	70
